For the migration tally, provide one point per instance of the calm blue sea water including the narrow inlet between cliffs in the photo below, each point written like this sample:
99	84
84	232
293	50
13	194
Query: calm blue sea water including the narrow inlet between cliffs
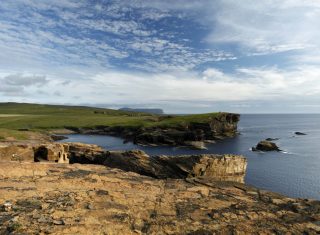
294	172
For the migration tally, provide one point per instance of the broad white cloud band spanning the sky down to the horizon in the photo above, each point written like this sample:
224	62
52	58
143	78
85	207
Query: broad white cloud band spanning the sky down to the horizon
247	89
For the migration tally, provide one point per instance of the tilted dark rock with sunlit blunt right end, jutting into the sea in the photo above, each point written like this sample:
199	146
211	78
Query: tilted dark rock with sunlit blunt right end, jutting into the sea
216	167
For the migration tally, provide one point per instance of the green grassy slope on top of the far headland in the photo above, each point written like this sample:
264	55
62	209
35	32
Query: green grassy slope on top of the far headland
48	117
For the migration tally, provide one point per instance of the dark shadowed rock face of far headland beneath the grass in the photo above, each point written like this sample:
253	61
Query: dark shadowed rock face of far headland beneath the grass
222	126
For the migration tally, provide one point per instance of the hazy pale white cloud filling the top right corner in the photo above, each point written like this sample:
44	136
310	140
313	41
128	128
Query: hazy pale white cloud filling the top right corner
267	26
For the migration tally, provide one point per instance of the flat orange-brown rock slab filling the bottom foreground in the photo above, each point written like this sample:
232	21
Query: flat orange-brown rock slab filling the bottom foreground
88	199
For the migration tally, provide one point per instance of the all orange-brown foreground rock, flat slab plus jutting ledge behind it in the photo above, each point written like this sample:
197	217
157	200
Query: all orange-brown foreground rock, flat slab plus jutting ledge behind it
58	198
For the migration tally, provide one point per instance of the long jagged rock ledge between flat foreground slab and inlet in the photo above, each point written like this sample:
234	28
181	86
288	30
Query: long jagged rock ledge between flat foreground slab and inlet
215	167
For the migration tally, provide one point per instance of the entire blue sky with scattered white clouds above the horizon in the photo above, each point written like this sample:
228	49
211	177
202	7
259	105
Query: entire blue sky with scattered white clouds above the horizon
182	56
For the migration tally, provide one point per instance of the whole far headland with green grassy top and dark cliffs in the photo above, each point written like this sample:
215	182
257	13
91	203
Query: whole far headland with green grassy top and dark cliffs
141	128
